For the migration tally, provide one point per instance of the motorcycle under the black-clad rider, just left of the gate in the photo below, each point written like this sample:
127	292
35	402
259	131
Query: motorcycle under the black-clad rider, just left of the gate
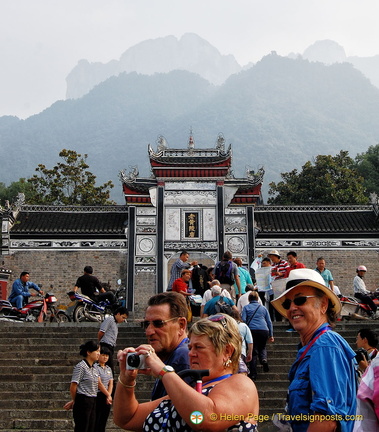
87	309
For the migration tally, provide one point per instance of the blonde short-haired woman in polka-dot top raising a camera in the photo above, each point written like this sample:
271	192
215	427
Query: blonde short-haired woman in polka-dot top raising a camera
227	402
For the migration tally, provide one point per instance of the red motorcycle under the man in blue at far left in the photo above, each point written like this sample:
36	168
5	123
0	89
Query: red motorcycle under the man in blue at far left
40	310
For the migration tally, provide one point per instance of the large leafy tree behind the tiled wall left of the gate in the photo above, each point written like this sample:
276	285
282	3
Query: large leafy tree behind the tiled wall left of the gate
68	183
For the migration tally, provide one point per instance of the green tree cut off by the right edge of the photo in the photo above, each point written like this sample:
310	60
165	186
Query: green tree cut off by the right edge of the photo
368	168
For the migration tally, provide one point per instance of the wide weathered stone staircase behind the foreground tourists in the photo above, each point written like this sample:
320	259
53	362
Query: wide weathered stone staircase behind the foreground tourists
37	362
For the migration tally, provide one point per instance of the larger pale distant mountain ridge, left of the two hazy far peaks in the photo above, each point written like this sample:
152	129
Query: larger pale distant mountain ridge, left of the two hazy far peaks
162	55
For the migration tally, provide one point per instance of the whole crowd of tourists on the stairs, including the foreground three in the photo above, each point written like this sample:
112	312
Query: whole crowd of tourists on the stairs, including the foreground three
206	373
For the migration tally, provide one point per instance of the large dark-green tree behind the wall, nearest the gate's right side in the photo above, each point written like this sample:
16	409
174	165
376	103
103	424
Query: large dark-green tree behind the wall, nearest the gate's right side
328	180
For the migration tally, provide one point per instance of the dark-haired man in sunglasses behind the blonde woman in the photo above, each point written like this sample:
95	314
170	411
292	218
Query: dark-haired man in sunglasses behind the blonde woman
165	327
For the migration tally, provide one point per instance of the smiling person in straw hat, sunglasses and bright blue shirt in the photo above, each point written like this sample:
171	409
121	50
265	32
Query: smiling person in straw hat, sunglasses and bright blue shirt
322	390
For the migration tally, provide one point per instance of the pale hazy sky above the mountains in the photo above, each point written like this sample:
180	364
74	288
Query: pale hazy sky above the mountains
42	40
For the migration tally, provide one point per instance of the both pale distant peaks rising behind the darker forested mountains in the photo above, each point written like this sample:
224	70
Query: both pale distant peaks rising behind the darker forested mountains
194	54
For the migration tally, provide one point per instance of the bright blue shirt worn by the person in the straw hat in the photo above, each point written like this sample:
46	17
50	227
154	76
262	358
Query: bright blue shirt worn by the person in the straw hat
323	382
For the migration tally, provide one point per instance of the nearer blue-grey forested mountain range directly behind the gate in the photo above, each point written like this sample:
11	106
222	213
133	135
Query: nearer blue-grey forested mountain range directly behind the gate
278	113
